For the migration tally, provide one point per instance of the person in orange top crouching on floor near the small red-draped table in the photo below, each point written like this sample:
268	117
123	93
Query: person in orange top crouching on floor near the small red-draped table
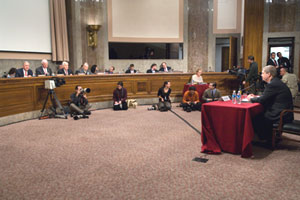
190	100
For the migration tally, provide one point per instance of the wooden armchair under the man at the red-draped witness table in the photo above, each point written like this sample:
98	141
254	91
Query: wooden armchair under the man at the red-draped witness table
292	127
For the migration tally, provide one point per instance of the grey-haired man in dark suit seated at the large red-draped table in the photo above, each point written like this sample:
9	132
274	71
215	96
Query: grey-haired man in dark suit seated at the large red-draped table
276	98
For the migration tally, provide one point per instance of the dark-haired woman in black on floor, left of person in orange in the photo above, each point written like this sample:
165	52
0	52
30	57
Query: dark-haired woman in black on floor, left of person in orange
163	94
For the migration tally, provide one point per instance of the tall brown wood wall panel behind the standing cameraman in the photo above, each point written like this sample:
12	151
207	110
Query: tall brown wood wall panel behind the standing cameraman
253	31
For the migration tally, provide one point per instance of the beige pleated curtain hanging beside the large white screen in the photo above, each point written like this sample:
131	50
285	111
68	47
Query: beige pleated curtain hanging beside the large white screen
59	32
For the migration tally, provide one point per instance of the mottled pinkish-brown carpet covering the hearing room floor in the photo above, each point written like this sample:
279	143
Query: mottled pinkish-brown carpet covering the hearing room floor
136	154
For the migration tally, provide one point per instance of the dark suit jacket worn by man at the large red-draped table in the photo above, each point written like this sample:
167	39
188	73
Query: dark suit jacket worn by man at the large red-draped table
276	97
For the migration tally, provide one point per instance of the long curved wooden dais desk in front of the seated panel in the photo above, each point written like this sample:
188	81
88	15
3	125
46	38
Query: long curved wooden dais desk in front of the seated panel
19	95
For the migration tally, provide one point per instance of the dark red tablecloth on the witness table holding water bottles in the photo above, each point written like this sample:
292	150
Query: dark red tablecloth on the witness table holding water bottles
228	127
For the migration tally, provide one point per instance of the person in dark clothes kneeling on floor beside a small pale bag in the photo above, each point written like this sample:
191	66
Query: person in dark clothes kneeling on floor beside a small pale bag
120	97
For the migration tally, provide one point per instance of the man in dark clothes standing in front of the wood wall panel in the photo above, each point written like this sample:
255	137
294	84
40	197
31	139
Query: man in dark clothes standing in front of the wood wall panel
252	75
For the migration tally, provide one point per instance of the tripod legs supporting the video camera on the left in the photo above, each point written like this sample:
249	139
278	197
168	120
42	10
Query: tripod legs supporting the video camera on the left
55	104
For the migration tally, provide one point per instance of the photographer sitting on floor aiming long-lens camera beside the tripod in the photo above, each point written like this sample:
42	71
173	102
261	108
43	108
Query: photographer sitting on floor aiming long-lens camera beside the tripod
79	104
